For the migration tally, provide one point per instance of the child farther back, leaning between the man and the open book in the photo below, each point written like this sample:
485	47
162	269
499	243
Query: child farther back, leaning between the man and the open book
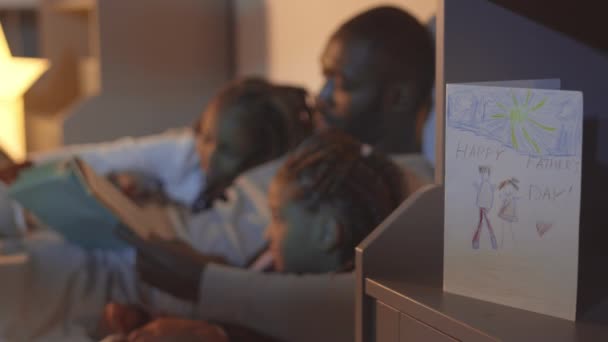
248	123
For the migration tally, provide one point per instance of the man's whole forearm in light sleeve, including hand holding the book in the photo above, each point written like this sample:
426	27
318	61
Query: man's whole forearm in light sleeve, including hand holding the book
282	306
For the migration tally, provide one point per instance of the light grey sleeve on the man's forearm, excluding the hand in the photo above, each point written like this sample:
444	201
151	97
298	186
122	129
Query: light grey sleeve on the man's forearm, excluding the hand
287	307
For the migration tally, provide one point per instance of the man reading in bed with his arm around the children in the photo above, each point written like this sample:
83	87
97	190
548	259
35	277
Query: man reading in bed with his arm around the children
379	73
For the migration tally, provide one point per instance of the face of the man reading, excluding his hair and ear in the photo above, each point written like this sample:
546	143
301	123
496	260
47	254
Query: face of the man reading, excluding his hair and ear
351	97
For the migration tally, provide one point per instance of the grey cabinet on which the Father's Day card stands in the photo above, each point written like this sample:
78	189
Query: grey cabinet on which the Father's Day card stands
400	265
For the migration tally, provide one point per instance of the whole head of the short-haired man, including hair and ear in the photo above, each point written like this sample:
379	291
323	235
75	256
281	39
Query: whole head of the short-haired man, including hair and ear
379	70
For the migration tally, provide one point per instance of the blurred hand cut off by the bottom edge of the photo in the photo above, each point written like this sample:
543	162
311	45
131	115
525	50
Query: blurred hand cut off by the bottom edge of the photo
173	329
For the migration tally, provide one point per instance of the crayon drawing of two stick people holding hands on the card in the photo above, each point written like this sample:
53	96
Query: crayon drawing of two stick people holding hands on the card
485	202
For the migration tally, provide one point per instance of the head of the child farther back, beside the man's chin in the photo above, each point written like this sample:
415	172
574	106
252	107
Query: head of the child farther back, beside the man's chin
248	123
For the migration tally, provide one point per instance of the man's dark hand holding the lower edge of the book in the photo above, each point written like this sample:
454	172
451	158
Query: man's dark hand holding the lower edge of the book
172	266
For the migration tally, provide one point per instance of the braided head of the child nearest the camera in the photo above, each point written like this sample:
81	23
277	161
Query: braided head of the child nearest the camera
325	200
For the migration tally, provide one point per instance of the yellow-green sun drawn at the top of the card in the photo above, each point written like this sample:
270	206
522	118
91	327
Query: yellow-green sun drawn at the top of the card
519	114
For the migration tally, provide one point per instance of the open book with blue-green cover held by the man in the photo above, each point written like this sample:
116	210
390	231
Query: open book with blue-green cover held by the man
86	208
